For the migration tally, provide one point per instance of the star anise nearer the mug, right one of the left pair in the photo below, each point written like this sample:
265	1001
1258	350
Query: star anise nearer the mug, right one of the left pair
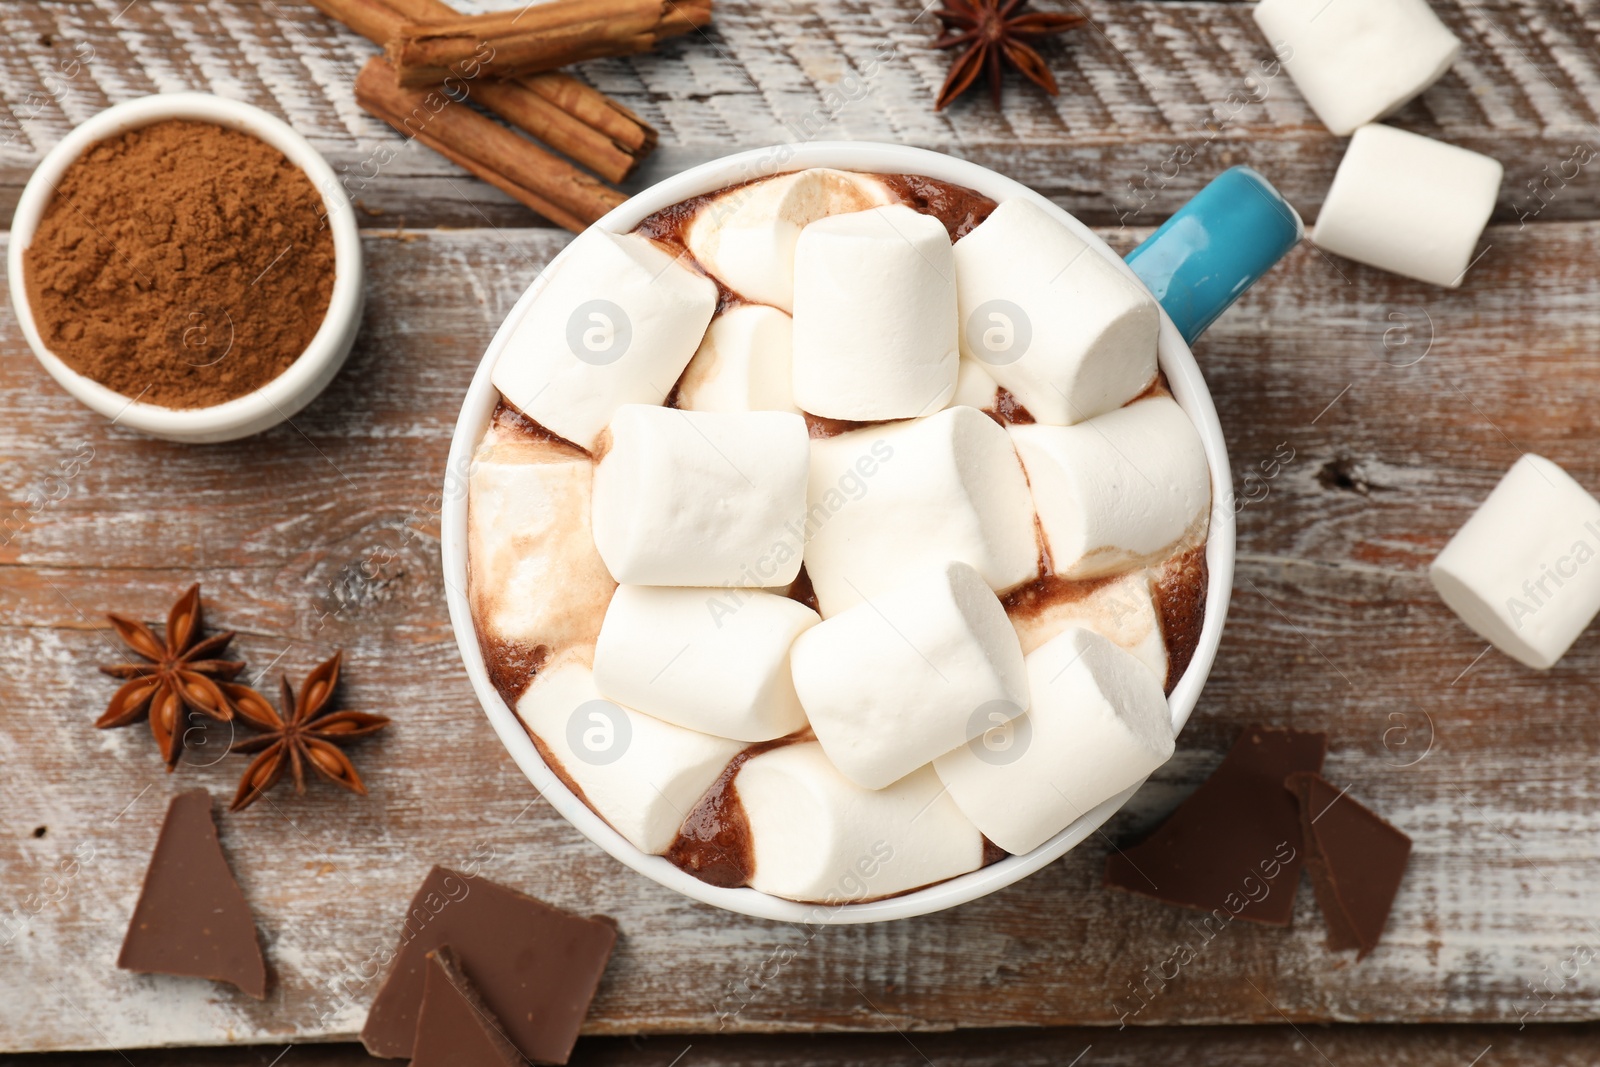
306	733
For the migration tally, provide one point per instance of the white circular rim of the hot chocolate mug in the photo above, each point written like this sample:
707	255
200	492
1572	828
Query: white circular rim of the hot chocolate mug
1188	390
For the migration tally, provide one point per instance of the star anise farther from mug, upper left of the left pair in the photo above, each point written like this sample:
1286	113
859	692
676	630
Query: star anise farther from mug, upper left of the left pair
183	673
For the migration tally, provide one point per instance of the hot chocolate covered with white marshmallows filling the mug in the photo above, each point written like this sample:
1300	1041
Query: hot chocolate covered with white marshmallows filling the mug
905	516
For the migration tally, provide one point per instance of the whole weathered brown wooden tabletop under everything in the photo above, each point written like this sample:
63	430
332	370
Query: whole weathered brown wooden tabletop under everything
1402	406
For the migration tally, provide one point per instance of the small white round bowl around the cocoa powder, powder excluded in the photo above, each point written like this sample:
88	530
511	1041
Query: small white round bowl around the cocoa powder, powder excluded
286	394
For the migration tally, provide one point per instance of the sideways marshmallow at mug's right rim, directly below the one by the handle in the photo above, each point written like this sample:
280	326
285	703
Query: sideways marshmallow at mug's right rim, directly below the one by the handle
1121	490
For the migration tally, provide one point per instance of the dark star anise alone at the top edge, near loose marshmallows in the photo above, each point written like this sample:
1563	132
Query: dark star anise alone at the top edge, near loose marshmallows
994	31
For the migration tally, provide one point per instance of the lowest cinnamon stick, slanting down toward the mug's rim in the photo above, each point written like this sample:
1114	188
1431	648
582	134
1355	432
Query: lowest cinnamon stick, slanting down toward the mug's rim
479	145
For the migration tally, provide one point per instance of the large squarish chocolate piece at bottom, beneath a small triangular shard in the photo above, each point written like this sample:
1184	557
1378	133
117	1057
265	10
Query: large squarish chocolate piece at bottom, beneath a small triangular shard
537	967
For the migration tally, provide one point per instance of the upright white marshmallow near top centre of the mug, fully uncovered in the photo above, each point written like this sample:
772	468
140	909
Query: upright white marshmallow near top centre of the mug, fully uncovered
874	316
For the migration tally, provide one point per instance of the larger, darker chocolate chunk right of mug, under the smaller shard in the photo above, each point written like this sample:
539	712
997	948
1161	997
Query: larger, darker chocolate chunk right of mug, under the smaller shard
1234	847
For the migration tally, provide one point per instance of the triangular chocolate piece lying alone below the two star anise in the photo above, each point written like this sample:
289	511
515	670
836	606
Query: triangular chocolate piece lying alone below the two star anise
191	917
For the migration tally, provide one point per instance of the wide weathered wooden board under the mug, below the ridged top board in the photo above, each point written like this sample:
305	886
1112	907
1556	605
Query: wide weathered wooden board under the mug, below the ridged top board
322	535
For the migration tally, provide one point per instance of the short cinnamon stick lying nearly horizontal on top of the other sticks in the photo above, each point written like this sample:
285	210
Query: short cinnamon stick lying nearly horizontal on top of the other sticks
540	38
